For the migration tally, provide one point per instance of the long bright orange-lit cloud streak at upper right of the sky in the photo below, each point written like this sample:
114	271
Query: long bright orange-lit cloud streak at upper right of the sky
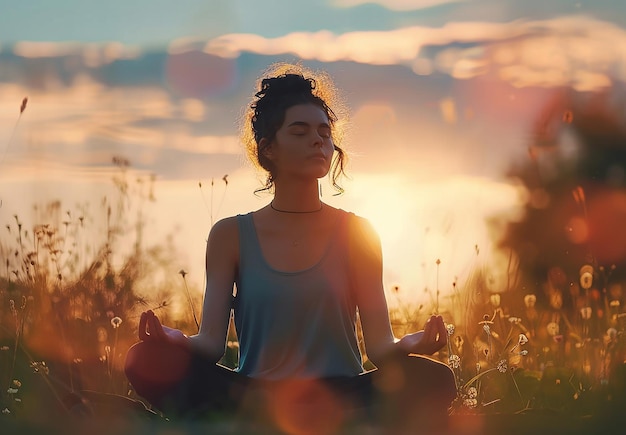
577	51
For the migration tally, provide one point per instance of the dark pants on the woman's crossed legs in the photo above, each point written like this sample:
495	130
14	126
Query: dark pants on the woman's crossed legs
179	383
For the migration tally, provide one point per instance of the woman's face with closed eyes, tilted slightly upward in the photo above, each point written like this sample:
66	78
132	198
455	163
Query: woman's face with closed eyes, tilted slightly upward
303	145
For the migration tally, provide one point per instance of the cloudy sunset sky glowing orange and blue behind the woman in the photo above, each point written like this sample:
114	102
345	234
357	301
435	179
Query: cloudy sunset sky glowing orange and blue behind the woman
443	98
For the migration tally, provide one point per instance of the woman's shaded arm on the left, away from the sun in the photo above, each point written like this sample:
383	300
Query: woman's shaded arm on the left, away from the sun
222	257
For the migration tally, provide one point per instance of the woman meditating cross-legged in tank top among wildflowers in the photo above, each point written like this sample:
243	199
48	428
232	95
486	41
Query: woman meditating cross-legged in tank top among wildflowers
302	270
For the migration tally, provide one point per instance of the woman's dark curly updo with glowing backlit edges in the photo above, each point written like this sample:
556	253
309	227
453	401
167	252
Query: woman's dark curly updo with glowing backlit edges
282	87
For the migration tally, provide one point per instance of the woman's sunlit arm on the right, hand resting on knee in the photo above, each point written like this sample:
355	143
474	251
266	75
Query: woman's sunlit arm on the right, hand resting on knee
366	267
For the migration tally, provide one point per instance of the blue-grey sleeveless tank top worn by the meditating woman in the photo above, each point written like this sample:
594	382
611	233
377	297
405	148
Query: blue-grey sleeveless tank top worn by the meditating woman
295	324
